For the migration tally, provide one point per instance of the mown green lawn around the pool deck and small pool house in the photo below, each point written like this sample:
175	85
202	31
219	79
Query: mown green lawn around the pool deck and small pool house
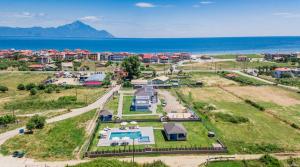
197	135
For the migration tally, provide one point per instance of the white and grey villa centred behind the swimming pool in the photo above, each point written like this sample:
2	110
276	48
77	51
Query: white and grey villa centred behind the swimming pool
143	98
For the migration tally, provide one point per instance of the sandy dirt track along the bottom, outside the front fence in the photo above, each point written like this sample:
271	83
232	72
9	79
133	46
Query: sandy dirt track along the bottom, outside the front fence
171	160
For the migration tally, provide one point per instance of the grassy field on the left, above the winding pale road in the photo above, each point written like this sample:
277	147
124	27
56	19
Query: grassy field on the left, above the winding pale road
25	103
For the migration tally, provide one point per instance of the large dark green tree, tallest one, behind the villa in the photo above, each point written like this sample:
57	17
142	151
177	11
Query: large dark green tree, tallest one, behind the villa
132	66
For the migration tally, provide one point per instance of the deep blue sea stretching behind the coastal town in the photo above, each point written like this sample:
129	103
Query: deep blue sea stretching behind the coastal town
155	45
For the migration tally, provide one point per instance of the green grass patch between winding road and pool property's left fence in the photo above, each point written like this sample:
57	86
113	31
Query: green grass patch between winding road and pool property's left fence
56	141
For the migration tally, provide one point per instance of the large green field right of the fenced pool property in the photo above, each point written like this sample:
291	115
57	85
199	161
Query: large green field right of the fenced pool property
262	133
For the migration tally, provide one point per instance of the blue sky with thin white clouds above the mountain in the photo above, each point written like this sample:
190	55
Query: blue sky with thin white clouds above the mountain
161	18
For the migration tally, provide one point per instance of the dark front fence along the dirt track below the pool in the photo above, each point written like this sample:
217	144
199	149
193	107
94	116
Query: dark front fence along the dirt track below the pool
175	150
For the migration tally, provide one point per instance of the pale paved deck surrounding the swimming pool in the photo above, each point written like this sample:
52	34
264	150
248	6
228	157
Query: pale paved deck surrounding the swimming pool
146	131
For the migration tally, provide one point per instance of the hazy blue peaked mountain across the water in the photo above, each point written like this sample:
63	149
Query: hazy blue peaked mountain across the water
75	30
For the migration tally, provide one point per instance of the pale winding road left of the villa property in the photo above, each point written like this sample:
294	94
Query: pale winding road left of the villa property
75	112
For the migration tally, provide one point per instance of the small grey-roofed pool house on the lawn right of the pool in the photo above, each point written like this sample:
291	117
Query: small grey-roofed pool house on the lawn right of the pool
175	131
